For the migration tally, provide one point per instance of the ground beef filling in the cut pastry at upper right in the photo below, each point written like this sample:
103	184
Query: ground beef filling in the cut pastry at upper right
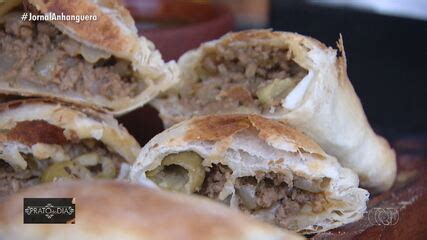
240	77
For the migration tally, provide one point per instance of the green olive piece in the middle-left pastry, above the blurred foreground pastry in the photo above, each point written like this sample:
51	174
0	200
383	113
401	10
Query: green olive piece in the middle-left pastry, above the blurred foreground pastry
60	170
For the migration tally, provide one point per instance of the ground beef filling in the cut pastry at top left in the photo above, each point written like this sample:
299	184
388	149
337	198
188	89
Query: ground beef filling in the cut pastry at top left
36	54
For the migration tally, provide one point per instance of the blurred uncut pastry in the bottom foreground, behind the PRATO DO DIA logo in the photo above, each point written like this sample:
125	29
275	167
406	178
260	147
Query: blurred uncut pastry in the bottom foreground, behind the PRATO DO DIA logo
135	212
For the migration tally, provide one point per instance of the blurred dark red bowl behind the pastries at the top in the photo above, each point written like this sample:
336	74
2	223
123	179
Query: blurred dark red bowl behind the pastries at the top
176	26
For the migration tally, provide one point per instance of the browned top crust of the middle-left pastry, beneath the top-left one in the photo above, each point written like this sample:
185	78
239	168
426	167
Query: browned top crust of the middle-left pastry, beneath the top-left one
78	122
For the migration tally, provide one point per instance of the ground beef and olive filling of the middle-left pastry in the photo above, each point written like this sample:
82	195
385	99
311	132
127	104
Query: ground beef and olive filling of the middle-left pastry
87	159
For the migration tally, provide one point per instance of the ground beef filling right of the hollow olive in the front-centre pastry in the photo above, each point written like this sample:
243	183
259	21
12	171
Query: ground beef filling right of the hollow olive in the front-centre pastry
265	191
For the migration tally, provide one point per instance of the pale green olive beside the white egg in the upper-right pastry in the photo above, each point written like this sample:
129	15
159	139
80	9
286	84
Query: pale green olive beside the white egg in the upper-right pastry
268	95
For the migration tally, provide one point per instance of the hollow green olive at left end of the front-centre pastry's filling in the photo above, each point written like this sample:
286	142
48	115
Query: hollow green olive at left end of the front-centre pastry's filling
180	172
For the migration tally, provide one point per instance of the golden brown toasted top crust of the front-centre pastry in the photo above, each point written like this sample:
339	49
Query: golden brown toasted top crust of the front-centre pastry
219	127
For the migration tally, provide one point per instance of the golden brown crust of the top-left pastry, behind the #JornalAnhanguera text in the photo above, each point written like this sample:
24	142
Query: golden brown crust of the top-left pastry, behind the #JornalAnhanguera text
104	33
